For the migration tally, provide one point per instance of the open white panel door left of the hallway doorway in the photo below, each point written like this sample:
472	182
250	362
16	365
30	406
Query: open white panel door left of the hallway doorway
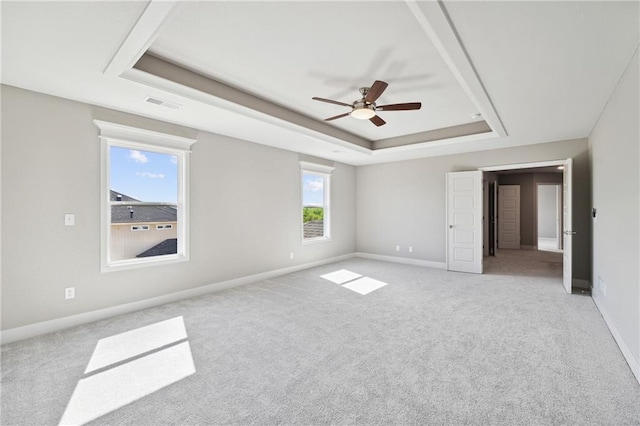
464	221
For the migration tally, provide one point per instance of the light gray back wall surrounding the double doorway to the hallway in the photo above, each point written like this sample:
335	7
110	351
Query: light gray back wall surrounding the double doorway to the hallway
403	203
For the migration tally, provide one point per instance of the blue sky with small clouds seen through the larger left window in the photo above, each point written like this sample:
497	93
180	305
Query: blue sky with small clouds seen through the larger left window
146	176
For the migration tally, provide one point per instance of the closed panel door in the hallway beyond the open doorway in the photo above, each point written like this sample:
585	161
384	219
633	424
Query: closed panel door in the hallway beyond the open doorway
509	216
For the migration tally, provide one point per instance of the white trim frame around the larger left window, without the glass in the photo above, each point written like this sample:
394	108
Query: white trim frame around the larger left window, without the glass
112	134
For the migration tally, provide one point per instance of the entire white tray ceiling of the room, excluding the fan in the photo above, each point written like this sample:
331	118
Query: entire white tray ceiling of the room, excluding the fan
537	71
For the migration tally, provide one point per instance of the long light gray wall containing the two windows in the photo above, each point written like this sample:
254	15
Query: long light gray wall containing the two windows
245	212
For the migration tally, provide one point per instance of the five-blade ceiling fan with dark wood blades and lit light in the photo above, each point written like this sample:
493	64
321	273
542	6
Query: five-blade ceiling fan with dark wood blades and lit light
366	108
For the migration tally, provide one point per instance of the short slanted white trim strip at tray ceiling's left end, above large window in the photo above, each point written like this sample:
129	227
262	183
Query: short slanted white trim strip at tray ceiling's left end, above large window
141	36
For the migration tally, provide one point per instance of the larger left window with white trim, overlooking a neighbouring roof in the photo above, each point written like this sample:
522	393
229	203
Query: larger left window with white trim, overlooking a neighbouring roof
144	197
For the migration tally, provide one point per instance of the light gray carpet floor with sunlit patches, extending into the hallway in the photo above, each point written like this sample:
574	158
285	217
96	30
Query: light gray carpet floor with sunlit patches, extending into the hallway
430	347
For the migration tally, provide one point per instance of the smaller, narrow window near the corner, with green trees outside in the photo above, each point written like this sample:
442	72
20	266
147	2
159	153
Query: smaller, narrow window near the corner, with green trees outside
316	213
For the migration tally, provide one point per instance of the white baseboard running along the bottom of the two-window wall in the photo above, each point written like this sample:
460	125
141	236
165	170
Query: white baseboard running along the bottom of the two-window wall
37	329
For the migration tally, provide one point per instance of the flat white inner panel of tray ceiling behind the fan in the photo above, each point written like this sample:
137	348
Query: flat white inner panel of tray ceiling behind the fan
298	50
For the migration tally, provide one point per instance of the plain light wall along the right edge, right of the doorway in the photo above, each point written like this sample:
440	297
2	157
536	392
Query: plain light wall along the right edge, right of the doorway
615	161
